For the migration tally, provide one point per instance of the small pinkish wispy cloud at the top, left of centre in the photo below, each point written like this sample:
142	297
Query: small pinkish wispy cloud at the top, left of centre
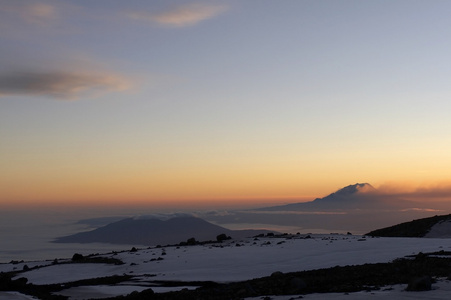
181	16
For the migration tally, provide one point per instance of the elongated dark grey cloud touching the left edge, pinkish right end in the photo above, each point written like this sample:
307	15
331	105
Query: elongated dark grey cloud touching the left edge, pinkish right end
60	84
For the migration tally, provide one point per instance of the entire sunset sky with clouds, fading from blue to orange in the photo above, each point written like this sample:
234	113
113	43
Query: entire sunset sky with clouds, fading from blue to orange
172	103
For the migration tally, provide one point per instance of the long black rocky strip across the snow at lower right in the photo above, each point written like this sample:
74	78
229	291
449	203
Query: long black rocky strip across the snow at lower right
416	273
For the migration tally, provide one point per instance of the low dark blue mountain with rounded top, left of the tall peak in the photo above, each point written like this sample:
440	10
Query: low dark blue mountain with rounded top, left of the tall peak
155	232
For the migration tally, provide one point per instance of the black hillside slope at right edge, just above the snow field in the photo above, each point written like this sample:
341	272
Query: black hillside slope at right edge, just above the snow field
416	228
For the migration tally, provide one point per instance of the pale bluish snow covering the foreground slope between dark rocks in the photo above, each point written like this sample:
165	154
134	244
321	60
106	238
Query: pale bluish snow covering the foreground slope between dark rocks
237	261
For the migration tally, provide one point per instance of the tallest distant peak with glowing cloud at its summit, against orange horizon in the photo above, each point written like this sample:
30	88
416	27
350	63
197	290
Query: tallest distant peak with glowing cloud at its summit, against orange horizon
355	196
